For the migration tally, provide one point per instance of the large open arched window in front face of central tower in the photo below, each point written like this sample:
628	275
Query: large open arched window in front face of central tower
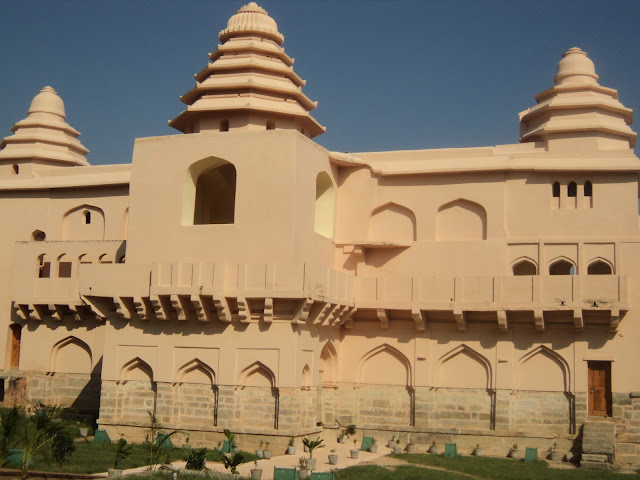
209	193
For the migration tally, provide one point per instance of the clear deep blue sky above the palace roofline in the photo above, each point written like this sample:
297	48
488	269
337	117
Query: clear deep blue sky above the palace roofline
388	74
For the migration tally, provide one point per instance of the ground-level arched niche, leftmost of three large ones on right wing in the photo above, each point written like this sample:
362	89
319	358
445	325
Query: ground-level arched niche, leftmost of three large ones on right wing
385	394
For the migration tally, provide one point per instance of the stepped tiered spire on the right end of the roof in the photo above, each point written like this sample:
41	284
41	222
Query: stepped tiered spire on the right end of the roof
578	107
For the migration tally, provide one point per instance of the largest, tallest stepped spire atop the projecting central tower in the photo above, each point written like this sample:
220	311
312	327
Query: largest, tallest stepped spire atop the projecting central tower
249	84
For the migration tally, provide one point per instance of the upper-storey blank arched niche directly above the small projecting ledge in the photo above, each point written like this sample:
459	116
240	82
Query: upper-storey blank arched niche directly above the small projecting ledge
392	223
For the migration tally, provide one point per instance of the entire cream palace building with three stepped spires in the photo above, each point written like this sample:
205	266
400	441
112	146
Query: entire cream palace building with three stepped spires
238	275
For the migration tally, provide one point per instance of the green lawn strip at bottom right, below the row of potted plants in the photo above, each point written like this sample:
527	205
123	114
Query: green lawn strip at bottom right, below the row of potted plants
502	468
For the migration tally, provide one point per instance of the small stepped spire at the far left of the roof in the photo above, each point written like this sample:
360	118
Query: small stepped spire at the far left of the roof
44	135
